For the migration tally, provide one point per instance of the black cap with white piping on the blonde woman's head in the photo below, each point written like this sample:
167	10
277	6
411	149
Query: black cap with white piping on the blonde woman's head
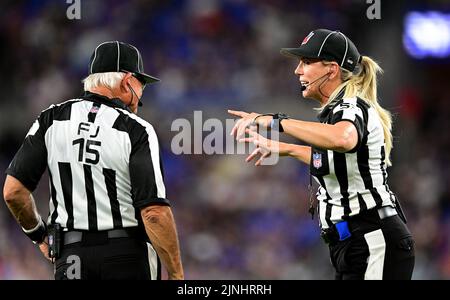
327	45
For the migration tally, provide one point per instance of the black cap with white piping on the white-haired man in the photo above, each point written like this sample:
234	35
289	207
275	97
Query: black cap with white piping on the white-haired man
115	56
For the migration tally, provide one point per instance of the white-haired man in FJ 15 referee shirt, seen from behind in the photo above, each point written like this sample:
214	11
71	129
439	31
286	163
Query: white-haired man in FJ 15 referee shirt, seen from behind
109	217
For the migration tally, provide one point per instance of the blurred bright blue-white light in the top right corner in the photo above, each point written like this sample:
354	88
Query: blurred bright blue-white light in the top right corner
427	34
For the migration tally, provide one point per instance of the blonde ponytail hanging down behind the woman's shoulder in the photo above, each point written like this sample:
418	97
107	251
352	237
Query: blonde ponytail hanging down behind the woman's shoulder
363	84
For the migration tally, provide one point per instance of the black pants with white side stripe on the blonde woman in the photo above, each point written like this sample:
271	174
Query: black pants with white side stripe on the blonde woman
377	249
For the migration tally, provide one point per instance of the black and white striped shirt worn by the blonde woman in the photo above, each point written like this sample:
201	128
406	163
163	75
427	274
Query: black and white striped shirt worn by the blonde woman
355	181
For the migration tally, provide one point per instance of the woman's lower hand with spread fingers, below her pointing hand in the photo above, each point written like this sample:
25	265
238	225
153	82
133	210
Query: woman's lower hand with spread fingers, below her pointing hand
264	147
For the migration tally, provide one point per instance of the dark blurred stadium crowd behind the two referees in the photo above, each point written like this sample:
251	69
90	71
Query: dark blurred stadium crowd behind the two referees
234	221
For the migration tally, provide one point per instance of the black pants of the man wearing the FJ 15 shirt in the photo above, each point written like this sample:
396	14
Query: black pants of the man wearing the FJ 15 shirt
118	258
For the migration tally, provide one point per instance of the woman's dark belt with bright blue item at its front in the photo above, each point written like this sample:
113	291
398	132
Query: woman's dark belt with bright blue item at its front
344	229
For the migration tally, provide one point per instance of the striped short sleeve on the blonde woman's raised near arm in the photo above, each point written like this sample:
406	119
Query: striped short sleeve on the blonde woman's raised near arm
348	110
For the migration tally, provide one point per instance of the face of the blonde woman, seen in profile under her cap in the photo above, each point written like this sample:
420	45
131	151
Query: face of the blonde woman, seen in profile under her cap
312	73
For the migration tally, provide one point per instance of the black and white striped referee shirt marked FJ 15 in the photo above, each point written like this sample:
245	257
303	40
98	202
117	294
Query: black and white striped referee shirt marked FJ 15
104	163
